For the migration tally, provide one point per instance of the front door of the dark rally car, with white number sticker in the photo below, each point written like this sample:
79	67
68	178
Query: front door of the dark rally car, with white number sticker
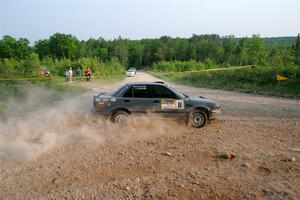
166	102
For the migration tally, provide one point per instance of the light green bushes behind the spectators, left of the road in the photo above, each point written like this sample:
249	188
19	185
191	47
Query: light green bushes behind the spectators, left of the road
28	67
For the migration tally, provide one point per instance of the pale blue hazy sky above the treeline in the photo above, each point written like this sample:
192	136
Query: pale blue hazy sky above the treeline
135	19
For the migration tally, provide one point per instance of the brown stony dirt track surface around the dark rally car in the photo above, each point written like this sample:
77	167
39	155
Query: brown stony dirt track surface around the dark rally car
166	160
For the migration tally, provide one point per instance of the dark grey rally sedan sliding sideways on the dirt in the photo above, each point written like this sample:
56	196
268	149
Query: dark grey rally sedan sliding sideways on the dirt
155	98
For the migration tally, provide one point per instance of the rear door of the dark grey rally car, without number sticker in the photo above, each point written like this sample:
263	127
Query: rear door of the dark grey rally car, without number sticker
137	99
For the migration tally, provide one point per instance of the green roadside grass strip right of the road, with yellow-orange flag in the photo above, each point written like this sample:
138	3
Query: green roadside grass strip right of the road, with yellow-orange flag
257	80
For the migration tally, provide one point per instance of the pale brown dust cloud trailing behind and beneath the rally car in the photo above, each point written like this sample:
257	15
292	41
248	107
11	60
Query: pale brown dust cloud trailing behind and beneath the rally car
43	119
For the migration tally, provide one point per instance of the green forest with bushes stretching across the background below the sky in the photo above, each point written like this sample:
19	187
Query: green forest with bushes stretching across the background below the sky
18	57
